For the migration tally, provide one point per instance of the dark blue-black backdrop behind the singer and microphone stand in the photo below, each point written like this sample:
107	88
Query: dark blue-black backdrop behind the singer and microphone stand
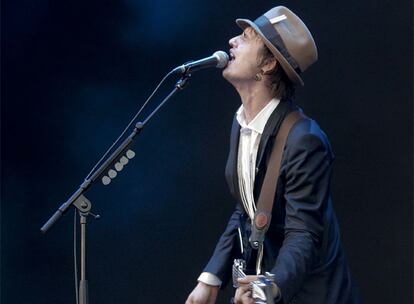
73	74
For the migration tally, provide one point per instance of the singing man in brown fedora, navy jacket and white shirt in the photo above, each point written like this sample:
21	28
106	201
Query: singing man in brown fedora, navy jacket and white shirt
302	245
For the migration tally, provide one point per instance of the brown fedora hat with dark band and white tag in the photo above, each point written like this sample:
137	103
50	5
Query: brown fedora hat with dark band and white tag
288	39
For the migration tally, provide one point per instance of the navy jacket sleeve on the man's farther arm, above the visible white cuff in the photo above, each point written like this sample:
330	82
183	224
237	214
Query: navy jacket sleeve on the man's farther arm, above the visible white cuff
221	262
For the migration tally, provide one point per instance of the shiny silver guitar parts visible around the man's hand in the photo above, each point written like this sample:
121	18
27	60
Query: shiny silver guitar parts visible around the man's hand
261	288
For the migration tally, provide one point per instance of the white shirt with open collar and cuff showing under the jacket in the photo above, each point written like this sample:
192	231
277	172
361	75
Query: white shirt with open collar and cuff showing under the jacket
249	140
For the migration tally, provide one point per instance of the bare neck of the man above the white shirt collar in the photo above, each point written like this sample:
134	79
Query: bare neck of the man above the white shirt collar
254	98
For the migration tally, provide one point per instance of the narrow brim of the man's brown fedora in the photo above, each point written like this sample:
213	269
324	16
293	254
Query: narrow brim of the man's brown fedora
291	73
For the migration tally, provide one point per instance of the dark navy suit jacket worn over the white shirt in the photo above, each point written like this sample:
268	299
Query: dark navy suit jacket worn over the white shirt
302	246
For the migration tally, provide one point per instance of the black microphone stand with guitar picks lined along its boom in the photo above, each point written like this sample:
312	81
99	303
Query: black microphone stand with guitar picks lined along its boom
83	205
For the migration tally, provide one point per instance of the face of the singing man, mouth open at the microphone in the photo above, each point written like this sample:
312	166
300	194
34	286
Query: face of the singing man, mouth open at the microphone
244	53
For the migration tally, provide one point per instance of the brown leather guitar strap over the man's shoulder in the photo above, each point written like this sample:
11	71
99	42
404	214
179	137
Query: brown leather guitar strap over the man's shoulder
263	213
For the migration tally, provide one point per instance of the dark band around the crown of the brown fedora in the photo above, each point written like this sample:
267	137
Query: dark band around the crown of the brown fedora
273	36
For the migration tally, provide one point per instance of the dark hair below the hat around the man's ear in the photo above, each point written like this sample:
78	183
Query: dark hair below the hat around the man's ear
280	84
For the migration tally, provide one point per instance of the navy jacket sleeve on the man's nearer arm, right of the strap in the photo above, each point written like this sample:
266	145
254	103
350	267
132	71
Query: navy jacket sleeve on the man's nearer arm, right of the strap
307	171
